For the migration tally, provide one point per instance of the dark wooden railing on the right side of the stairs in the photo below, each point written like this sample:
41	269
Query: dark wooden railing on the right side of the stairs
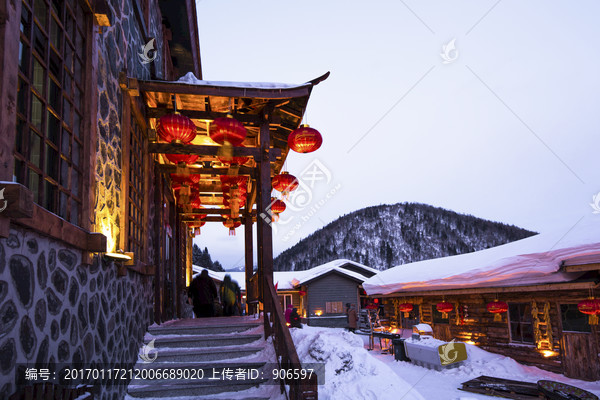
287	357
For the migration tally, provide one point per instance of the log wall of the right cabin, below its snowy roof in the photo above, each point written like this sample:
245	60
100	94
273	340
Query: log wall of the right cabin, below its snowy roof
552	349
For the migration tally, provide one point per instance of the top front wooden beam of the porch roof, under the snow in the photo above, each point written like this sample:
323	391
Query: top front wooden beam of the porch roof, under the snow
225	91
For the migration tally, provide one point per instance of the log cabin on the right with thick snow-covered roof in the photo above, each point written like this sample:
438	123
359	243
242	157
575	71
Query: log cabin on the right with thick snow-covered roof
541	279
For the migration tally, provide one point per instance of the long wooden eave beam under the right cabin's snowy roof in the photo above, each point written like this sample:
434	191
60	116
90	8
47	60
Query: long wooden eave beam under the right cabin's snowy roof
509	289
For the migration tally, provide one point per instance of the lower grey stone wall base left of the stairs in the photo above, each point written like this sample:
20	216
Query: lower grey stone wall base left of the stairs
53	309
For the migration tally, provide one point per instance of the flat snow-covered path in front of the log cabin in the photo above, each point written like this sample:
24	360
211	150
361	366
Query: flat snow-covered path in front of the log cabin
443	385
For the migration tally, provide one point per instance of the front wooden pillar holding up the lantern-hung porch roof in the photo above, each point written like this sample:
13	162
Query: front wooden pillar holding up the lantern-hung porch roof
263	225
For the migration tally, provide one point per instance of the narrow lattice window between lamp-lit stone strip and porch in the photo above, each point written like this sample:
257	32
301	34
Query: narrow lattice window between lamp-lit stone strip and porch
136	205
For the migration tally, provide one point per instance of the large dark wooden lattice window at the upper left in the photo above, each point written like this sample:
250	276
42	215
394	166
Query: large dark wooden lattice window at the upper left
50	103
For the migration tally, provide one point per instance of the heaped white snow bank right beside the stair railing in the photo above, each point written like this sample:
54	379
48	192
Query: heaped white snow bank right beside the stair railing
350	370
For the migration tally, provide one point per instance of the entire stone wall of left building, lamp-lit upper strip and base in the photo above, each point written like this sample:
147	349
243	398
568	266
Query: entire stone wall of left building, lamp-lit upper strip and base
53	308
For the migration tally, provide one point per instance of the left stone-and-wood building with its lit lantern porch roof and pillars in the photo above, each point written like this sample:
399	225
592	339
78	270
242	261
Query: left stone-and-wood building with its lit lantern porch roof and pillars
95	238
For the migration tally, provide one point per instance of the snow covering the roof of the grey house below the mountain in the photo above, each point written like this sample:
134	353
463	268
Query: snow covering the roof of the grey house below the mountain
288	280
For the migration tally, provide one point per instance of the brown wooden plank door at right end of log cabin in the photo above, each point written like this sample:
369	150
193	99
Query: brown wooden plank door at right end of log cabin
580	356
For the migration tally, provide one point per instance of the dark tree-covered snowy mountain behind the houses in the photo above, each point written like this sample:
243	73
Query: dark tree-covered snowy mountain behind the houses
389	235
